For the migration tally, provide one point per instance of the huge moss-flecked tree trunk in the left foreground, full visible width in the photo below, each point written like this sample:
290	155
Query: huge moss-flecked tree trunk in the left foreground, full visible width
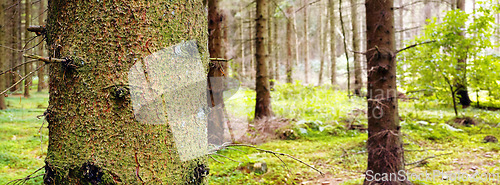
99	131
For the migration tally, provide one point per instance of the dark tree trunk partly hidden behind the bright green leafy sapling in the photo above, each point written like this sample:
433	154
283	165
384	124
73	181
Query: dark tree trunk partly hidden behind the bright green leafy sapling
461	86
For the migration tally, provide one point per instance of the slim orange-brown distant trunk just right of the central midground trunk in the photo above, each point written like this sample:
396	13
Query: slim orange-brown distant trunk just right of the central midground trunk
289	44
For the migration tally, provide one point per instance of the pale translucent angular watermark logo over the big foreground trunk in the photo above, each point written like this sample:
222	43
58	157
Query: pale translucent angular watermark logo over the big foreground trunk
170	87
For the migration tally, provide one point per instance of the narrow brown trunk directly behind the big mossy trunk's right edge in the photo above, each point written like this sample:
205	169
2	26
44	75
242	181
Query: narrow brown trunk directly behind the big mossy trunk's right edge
215	74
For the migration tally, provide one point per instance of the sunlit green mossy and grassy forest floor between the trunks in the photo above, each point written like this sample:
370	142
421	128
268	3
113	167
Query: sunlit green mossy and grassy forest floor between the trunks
319	117
